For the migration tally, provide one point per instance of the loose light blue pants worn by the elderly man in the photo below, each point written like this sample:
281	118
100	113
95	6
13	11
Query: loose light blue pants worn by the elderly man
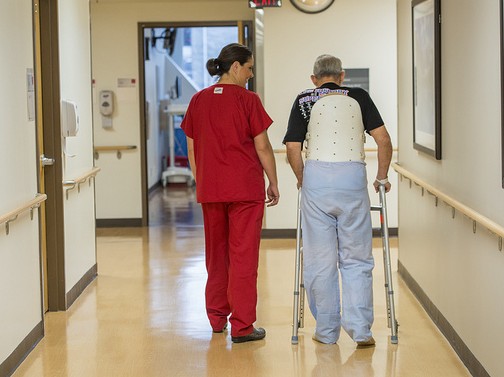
337	236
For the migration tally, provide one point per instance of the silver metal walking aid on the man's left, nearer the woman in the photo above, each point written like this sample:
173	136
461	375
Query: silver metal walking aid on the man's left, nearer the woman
299	291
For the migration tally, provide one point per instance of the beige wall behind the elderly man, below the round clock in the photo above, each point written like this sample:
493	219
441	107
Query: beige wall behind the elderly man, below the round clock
292	41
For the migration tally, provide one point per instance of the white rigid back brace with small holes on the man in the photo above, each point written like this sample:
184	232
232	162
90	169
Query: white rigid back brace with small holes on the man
335	131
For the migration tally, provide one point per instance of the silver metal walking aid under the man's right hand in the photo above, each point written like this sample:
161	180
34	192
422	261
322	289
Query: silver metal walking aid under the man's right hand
389	290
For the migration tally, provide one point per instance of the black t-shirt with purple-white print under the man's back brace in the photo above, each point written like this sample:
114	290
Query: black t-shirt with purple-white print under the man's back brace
301	109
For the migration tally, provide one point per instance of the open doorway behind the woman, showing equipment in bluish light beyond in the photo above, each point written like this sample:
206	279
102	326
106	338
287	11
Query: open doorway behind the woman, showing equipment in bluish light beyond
172	63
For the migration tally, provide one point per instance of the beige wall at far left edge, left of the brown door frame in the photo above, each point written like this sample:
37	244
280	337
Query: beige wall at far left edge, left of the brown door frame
20	293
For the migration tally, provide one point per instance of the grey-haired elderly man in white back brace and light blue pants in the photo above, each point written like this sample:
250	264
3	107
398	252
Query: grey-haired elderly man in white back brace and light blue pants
336	222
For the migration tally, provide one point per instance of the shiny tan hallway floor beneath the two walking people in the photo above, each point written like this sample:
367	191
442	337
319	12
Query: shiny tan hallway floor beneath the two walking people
144	315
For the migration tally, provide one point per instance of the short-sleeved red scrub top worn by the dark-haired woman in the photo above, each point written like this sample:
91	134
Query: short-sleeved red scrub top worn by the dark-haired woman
223	120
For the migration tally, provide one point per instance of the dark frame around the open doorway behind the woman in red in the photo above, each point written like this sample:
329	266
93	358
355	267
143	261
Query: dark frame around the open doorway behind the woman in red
245	36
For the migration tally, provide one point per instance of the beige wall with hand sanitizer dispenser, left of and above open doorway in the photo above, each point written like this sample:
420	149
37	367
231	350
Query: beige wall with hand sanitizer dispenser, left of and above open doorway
115	55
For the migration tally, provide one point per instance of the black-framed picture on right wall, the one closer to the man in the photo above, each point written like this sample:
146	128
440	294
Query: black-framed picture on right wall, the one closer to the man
426	28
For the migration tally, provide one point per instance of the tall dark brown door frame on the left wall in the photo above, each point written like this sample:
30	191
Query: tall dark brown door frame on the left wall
49	130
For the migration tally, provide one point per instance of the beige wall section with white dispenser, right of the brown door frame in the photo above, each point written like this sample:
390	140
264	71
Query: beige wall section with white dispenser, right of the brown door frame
75	85
